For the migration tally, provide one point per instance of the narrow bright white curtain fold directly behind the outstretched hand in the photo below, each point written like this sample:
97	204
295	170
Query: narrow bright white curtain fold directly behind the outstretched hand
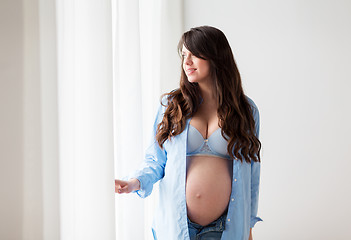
127	112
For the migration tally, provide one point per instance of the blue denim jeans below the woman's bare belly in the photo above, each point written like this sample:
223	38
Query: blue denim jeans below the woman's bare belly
212	231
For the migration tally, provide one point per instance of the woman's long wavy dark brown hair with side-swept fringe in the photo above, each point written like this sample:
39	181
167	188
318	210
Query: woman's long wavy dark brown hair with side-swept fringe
234	110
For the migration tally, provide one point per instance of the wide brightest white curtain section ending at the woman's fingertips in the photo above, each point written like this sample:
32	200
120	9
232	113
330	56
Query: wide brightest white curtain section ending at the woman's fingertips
85	119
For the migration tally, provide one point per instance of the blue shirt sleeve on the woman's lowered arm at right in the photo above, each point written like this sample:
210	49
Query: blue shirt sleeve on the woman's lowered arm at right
255	174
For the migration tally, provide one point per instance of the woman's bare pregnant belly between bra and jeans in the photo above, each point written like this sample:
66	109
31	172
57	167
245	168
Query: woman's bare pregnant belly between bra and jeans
208	188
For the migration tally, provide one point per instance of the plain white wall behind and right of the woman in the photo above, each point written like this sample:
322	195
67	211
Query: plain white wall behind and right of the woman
294	57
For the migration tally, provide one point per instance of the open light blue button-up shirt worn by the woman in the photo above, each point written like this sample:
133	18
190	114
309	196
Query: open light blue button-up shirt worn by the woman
169	166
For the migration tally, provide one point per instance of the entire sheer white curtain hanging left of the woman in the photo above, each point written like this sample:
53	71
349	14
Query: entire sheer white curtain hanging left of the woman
73	108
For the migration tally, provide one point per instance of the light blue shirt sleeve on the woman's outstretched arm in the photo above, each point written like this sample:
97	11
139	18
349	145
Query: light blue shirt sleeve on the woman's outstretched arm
152	168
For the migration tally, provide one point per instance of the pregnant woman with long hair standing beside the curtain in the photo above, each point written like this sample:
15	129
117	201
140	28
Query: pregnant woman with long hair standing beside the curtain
205	148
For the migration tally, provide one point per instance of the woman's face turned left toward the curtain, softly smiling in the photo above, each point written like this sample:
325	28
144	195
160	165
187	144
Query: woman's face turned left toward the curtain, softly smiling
196	69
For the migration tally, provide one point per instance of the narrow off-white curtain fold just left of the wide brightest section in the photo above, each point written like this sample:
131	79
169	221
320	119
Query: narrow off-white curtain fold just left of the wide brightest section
49	119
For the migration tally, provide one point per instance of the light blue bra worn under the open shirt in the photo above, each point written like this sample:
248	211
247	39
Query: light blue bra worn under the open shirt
215	145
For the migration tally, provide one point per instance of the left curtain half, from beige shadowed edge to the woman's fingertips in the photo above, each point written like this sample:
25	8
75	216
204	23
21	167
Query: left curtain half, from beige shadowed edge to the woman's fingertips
67	137
